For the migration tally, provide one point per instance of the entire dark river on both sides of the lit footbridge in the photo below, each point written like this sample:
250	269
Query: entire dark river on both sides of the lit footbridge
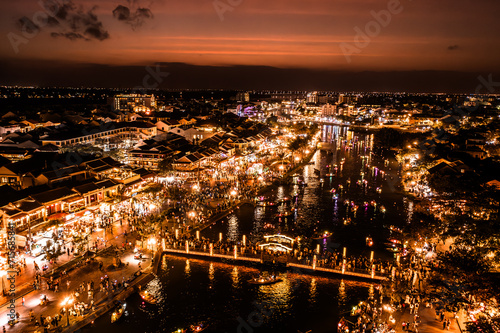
194	291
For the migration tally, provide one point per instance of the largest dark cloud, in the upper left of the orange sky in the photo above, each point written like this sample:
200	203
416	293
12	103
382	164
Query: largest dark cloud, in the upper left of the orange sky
69	21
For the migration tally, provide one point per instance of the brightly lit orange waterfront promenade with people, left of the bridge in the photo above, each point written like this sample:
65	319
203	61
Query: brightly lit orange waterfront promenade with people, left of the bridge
74	286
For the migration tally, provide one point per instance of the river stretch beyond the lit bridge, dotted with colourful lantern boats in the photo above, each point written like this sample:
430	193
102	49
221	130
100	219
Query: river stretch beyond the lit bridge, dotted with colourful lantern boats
355	213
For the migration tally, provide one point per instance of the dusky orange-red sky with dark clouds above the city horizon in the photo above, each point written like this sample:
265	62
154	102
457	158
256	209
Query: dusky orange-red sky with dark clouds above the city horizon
421	45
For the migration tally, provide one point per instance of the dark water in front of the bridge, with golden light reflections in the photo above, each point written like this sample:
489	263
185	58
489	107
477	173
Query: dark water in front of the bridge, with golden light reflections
194	291
